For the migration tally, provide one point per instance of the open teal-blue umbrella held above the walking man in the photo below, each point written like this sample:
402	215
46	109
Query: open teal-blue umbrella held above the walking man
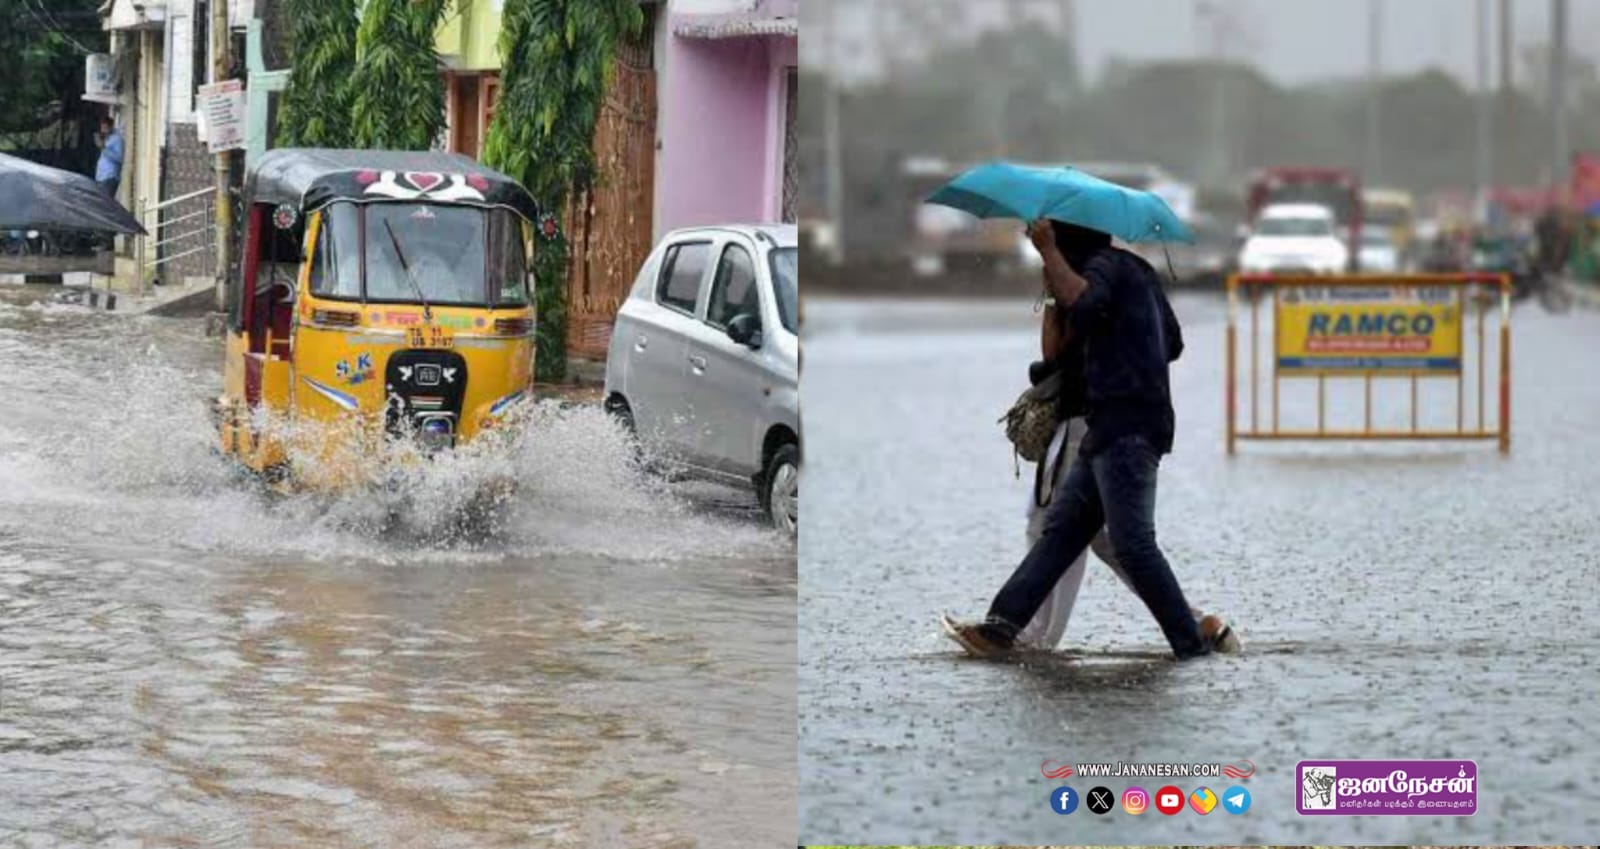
1002	189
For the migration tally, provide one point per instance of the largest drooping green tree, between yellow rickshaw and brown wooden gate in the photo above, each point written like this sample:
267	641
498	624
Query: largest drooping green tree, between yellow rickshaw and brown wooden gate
558	58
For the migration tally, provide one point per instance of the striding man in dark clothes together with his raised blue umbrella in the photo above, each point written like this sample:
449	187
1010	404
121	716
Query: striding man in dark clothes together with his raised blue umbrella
1116	306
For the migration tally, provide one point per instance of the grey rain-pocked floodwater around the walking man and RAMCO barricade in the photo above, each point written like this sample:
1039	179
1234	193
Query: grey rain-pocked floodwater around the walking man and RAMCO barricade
1396	602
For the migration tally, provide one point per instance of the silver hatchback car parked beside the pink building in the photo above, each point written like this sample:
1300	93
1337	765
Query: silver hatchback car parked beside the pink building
705	361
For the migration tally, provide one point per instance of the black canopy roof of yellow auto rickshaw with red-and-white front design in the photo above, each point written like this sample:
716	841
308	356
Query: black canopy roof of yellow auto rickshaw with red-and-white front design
310	178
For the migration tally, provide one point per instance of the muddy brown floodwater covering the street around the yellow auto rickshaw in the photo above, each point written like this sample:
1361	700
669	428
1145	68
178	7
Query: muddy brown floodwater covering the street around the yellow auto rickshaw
190	663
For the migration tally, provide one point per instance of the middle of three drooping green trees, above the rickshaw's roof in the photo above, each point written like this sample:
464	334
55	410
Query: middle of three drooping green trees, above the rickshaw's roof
398	94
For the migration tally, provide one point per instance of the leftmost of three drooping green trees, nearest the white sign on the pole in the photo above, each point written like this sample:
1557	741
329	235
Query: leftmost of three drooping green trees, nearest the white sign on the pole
318	102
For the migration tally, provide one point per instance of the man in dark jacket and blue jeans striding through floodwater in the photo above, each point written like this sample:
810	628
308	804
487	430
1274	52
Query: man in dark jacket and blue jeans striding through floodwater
1114	303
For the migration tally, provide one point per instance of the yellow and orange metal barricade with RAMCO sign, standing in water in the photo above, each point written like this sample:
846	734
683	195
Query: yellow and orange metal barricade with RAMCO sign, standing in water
1414	340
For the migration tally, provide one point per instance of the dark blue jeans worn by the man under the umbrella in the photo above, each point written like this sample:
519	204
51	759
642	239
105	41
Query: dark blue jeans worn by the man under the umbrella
1116	488
